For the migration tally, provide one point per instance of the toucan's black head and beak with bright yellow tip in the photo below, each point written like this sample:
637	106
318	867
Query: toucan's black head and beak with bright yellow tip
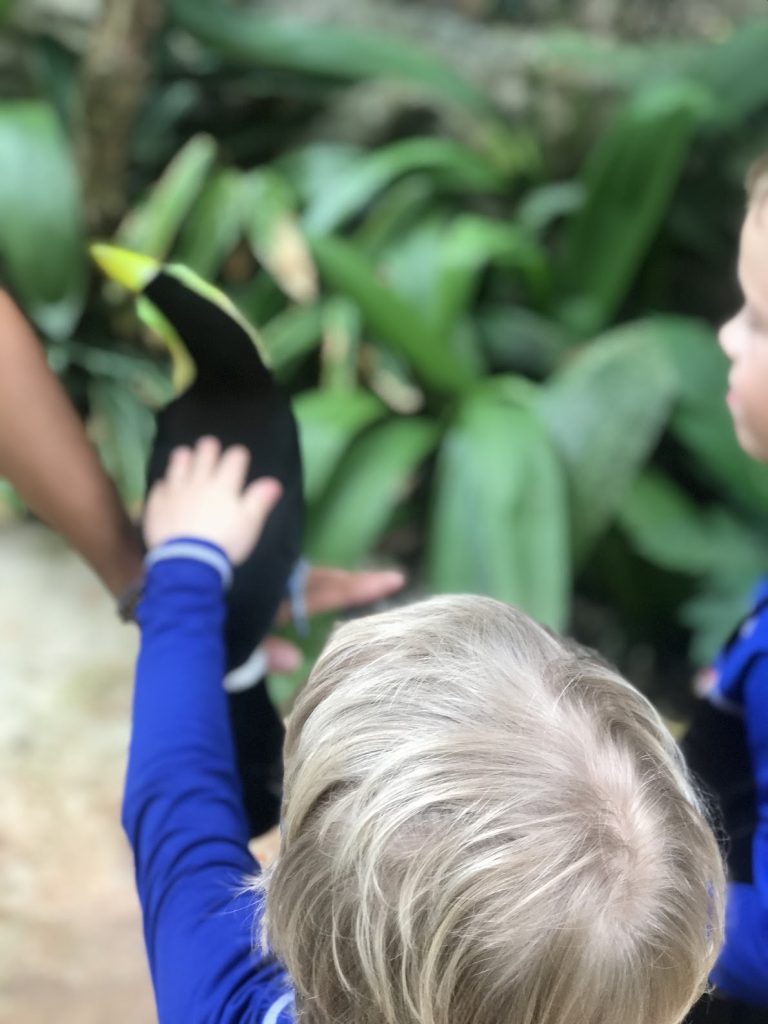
208	339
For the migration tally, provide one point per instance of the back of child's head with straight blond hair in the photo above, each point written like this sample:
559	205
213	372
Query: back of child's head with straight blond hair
486	825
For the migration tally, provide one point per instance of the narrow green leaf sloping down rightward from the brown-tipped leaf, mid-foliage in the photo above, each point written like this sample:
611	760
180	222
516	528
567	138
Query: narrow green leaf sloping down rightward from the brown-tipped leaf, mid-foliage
395	322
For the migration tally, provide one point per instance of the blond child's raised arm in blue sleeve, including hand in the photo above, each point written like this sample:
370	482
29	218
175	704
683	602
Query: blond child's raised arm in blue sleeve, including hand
183	808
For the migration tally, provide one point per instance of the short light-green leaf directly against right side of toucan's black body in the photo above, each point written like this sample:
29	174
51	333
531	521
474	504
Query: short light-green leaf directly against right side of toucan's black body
329	421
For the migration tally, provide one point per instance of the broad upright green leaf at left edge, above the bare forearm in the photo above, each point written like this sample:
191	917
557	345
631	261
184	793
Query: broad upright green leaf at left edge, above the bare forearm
42	245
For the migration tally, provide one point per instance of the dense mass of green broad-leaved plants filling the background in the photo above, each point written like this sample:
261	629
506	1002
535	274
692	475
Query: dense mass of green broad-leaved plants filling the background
502	358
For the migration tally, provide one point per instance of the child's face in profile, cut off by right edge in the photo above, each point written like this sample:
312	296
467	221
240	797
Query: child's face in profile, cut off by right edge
745	339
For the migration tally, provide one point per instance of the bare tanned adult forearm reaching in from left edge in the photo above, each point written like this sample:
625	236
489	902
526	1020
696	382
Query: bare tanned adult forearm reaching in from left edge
46	454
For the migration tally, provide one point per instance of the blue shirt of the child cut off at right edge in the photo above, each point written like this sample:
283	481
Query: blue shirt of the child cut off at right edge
742	689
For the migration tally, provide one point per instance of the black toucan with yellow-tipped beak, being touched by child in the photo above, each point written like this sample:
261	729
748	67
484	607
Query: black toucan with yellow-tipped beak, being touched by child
225	389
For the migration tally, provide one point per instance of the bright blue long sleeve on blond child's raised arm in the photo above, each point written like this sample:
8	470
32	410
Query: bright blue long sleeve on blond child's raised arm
184	816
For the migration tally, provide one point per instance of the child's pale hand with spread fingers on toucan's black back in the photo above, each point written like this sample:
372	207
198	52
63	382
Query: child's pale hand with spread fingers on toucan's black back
202	496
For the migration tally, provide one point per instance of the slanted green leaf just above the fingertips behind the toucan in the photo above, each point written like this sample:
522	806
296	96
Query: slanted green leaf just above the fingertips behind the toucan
373	479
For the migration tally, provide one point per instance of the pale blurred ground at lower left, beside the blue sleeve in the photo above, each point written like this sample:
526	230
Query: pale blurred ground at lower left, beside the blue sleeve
71	948
